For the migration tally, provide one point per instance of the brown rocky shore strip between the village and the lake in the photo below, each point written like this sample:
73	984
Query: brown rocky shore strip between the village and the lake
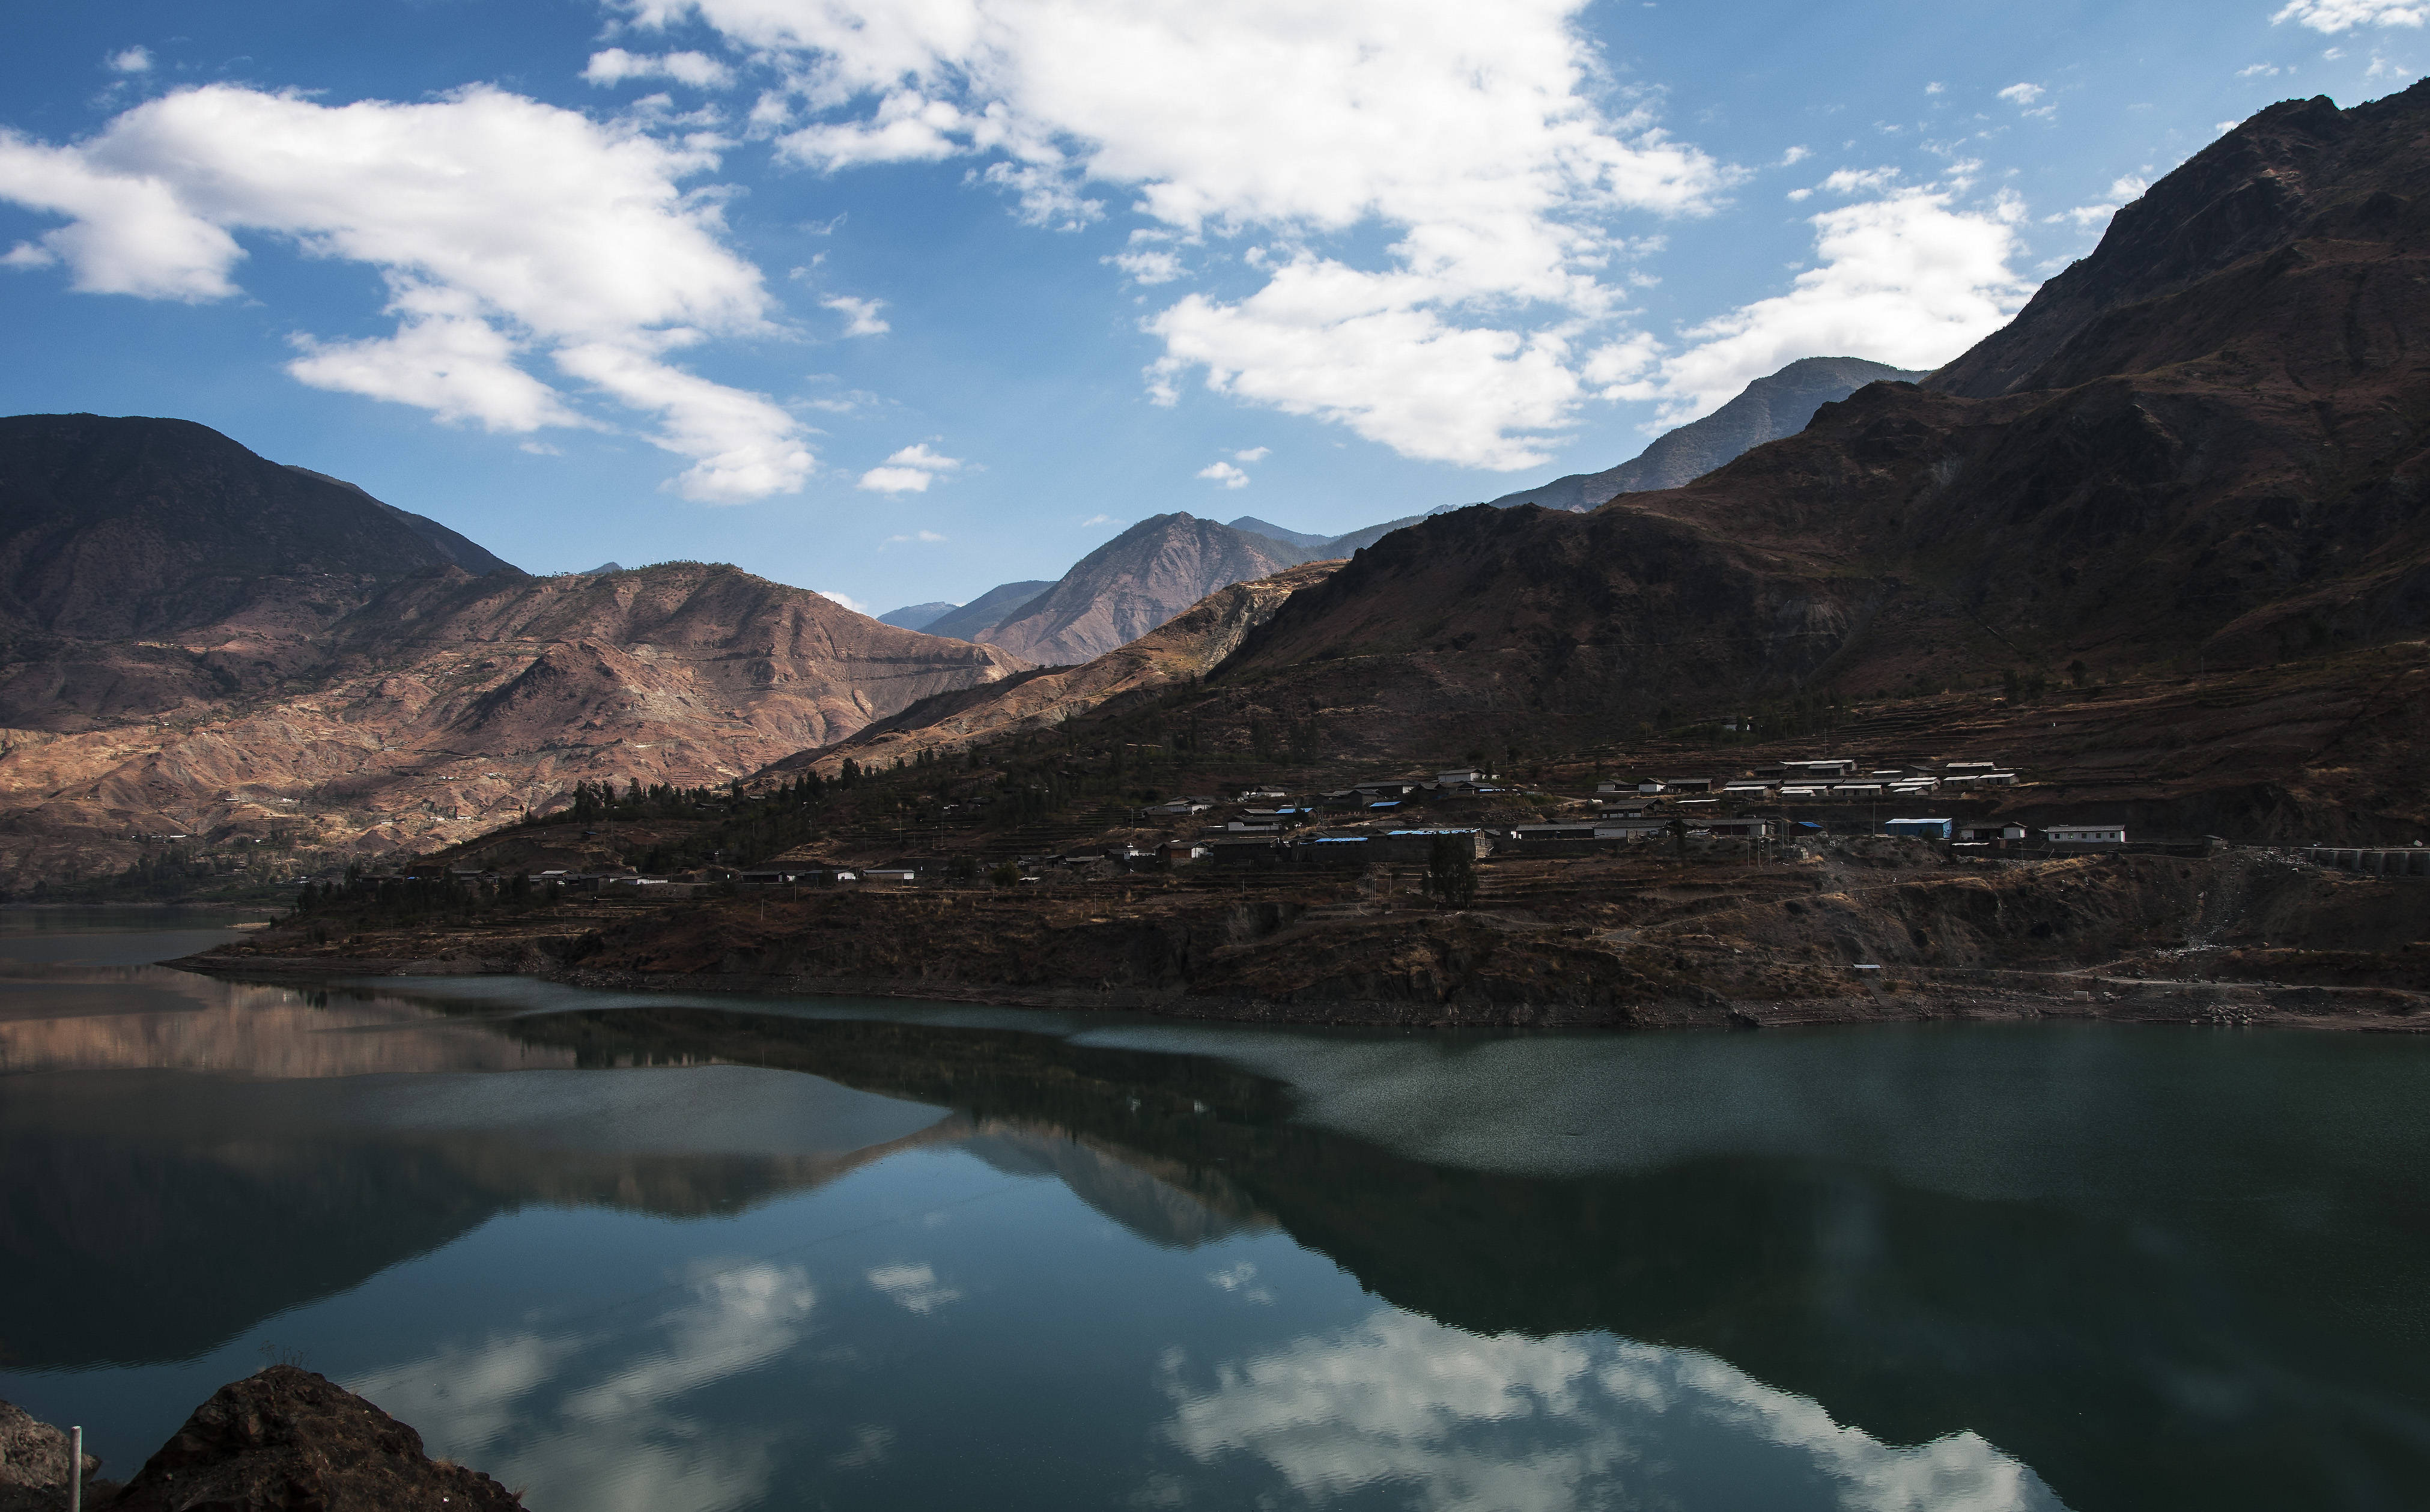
1858	935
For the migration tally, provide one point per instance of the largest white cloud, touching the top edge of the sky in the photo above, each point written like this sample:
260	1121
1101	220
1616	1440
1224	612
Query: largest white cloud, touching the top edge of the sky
1491	157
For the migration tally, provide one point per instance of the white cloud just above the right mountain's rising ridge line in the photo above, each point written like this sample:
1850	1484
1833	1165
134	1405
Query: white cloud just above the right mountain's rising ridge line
1906	281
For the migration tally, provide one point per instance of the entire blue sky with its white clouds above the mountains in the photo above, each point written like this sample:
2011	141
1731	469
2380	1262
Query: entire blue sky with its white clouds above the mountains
908	300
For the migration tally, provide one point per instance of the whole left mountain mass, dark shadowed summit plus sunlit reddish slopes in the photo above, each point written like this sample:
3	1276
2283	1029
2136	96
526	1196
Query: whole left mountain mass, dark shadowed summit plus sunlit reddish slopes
358	689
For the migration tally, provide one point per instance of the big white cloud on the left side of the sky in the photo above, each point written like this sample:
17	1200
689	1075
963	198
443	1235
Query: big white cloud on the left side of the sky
504	227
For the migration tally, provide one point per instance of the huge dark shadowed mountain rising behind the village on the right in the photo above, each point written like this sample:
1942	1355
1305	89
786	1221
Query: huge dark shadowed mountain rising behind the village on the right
2230	473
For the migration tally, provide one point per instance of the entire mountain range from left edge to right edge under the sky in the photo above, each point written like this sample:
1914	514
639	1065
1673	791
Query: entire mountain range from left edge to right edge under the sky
2203	446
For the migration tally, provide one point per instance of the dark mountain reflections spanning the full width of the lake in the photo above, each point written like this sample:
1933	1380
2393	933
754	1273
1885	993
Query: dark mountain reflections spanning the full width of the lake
1906	1311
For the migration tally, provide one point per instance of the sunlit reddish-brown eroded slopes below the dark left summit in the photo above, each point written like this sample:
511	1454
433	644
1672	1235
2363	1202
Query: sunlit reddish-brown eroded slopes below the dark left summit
451	704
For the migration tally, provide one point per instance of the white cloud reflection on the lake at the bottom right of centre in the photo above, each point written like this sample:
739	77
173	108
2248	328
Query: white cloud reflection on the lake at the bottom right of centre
1510	1423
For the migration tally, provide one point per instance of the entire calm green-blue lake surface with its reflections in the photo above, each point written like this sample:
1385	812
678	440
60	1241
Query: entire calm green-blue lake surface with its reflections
703	1253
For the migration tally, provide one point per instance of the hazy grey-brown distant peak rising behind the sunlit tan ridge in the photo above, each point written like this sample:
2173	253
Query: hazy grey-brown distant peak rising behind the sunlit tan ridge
1136	582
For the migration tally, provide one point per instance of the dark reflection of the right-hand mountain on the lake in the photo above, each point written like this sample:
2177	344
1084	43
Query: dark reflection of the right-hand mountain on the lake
1911	1314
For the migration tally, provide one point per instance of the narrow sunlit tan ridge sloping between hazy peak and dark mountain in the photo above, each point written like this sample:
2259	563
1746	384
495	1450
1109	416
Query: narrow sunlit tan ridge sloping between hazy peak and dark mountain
1189	645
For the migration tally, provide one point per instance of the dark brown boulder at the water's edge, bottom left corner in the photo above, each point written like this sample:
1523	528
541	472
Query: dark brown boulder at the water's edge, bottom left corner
293	1440
